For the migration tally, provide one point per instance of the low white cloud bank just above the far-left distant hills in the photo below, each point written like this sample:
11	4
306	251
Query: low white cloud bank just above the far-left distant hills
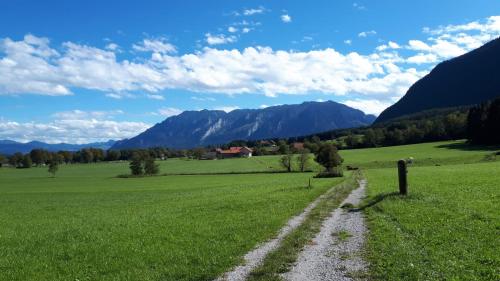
74	130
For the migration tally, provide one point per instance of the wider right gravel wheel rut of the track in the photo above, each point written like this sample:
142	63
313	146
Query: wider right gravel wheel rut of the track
330	256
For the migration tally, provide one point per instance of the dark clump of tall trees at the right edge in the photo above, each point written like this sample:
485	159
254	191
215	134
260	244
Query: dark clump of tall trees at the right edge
483	123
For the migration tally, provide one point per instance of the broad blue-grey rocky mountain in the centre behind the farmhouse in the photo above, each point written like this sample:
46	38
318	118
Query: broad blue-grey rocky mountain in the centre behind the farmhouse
206	127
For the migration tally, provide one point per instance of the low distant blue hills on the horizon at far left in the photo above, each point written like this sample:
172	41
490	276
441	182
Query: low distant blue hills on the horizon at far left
10	147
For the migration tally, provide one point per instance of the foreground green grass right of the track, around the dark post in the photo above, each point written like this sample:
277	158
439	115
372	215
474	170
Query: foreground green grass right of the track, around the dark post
448	228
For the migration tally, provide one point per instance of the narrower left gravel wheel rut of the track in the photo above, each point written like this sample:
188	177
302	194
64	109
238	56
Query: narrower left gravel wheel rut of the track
255	257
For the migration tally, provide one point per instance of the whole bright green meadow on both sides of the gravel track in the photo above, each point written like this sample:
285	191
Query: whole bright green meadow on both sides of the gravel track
89	224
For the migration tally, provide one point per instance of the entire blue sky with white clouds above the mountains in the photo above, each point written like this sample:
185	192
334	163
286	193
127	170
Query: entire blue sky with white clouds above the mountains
87	71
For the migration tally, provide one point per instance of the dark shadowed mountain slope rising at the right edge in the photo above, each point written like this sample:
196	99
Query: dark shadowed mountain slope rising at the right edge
468	79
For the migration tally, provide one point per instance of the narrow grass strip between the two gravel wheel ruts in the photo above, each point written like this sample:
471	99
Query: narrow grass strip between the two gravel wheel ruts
280	260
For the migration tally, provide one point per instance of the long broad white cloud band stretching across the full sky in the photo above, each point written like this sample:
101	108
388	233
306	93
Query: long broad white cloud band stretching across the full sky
30	65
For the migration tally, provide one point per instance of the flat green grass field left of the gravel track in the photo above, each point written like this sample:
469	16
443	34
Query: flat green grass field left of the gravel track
86	224
